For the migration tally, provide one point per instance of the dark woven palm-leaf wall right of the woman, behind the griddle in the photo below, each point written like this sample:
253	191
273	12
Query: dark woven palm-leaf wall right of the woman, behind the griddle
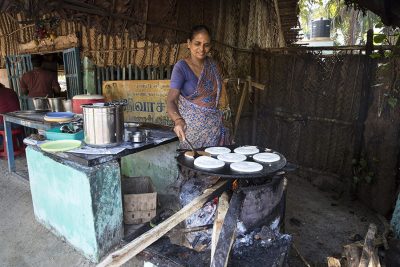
310	108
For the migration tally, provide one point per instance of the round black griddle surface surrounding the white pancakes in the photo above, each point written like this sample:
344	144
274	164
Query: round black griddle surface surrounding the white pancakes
269	169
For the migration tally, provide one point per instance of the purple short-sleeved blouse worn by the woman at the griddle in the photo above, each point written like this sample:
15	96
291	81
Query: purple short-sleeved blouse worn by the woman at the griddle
183	78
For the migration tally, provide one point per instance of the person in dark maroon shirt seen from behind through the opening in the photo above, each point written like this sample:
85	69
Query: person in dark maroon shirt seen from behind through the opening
39	82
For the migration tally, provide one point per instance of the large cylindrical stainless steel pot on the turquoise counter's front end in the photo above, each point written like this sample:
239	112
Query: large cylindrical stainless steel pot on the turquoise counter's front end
103	125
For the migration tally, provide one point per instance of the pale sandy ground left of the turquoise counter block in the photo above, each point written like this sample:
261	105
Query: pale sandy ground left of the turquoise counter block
23	241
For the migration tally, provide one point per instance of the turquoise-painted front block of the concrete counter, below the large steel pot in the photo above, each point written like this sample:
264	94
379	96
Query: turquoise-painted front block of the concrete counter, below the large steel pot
82	205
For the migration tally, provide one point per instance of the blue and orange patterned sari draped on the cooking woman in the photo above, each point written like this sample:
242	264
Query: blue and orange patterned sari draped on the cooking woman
203	119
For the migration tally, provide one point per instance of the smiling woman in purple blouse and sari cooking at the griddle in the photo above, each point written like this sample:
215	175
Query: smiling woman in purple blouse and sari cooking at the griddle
194	96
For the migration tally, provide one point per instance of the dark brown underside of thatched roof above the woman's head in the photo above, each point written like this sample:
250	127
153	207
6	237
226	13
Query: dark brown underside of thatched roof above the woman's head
153	20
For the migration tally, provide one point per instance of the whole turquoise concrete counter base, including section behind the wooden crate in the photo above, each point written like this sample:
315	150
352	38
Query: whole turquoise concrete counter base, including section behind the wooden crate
83	204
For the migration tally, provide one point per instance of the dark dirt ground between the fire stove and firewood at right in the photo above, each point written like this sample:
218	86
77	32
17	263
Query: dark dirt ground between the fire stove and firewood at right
322	222
